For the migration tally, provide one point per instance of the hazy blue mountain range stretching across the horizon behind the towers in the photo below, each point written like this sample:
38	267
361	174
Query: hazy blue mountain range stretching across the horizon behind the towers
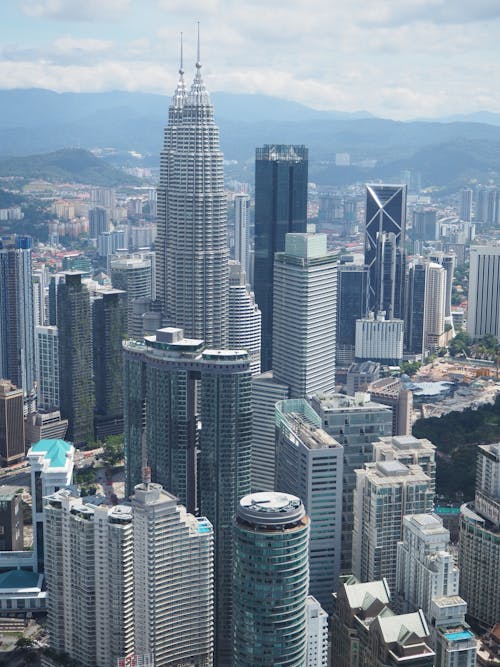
447	152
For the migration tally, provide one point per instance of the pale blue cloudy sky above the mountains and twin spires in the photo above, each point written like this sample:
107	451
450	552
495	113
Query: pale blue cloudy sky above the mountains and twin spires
400	59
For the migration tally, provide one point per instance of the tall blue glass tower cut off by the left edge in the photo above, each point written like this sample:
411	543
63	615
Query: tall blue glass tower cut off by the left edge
17	326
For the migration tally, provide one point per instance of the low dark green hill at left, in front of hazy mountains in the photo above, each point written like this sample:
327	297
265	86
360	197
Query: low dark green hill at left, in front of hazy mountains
69	164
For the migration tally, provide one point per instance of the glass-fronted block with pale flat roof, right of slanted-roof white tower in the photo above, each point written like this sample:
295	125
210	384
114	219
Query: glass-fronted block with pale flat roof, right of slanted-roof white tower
354	422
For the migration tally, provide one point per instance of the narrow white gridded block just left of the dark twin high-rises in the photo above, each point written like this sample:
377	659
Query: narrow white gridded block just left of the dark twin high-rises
47	367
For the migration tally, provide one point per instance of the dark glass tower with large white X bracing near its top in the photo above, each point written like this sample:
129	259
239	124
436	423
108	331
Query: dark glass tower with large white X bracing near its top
386	214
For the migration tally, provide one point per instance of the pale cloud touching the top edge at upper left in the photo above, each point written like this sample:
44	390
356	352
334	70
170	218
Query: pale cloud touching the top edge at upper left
75	10
